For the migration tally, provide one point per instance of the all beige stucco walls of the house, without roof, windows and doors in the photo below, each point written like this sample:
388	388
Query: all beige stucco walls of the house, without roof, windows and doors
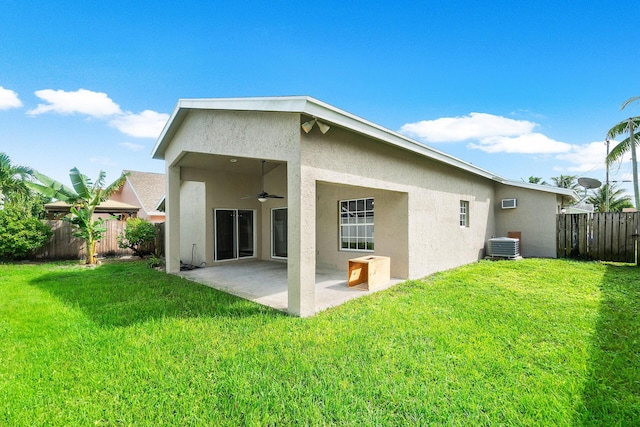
417	199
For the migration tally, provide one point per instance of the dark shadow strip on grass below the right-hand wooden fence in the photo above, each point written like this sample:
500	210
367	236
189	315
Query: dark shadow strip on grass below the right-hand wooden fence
612	390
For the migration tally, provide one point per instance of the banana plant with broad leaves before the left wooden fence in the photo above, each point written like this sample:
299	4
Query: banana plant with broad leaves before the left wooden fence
83	202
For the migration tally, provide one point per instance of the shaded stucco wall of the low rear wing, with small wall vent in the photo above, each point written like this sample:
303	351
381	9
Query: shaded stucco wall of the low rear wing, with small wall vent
534	217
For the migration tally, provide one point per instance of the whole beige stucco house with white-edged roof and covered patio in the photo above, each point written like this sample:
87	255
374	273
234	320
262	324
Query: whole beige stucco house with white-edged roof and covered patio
350	188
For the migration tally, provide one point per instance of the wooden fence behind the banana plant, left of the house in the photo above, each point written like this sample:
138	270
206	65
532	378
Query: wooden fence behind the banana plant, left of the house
64	245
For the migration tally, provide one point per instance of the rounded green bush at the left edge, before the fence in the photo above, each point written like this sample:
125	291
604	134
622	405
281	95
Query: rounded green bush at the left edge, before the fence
21	233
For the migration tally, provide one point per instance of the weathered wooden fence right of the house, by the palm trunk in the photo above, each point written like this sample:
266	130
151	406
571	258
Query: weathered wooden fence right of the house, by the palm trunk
608	236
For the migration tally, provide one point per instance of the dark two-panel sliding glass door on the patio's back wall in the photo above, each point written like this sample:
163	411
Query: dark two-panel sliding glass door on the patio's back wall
234	234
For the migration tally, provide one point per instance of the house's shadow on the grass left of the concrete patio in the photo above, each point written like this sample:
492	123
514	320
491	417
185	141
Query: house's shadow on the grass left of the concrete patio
124	293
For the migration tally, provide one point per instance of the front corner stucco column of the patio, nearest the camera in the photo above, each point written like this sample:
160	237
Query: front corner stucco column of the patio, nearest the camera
301	243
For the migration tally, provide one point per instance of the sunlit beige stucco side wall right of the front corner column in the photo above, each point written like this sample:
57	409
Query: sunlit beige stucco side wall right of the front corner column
434	239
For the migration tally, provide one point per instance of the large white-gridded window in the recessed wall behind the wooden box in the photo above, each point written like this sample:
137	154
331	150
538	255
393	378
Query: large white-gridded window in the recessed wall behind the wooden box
356	225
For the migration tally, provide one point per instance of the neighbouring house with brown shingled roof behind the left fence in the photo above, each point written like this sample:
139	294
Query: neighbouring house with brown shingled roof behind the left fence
146	190
